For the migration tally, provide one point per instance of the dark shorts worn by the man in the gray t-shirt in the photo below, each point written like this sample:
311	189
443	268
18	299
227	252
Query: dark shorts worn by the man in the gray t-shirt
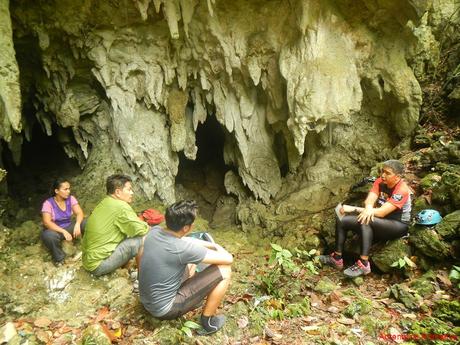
193	291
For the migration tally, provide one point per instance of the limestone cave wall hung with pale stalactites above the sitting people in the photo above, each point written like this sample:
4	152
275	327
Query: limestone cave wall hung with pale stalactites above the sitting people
322	88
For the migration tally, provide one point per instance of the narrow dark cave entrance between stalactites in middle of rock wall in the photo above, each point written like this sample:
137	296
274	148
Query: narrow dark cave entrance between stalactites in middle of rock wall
202	179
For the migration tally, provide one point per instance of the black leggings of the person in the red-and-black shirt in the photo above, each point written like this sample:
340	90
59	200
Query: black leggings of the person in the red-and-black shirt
380	229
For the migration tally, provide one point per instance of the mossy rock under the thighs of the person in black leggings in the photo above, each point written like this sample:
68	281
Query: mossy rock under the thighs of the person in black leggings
385	255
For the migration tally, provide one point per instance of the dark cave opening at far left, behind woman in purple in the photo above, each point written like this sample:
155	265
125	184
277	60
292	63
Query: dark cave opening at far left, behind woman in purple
43	159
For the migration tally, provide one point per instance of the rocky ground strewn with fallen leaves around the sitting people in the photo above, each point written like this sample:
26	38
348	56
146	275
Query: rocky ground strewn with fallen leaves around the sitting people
282	302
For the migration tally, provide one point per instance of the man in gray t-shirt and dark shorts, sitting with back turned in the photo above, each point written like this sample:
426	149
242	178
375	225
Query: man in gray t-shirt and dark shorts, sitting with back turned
168	284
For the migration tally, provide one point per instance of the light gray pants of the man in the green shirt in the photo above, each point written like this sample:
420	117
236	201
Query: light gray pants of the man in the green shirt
125	251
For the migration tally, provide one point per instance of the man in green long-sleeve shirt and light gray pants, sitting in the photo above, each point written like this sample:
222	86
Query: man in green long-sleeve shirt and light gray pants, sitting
114	234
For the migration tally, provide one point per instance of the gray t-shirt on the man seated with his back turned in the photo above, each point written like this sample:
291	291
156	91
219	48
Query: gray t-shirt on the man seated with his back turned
163	265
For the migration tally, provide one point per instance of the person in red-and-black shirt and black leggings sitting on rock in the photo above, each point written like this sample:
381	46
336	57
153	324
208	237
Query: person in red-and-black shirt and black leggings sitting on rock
388	220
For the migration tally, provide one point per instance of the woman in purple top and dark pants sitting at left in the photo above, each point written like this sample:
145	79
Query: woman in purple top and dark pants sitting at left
57	214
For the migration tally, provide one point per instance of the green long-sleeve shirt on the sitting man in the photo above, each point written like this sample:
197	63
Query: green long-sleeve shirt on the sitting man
110	223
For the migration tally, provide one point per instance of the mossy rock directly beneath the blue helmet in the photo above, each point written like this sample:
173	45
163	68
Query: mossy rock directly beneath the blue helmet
428	242
